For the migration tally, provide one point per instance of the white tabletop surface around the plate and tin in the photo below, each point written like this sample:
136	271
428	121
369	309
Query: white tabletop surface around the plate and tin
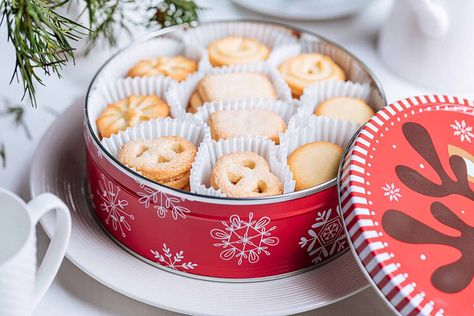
75	293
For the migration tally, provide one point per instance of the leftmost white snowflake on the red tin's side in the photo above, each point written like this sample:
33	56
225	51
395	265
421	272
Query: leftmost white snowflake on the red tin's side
114	206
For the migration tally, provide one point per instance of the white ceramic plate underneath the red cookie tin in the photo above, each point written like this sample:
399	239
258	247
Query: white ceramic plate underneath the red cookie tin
59	167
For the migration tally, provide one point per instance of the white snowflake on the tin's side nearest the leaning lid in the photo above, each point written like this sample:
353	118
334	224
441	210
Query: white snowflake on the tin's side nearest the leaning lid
326	237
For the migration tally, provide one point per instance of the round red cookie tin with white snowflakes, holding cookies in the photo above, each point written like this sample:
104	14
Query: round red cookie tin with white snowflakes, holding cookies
211	237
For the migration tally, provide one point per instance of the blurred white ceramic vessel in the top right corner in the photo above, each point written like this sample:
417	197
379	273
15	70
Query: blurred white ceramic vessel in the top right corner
430	43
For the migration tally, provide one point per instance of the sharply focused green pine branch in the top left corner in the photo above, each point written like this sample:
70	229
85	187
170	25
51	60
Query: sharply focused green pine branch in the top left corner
41	39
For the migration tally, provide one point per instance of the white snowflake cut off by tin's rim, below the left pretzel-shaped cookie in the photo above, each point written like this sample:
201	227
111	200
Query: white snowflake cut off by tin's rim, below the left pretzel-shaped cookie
162	202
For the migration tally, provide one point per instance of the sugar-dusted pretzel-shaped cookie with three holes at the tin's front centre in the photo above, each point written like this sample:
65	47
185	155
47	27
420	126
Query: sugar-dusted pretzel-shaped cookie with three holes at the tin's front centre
245	174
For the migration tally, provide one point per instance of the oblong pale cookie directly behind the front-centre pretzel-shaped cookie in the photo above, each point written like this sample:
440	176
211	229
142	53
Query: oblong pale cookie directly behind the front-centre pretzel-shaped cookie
232	123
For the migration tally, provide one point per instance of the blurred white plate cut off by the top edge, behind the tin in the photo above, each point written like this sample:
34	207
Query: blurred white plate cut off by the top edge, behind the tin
304	10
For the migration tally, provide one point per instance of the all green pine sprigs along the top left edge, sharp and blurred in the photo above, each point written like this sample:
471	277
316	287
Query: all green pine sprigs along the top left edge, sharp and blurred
42	37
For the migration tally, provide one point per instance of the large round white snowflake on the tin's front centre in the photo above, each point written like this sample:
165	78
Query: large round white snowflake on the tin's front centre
245	239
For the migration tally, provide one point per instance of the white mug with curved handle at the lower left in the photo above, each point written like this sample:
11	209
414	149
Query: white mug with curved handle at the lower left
21	285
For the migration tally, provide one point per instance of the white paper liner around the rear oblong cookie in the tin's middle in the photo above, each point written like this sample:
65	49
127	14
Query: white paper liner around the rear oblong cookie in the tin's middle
178	95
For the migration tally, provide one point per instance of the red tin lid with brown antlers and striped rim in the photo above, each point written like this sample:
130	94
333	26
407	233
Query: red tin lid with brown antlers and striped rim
406	196
